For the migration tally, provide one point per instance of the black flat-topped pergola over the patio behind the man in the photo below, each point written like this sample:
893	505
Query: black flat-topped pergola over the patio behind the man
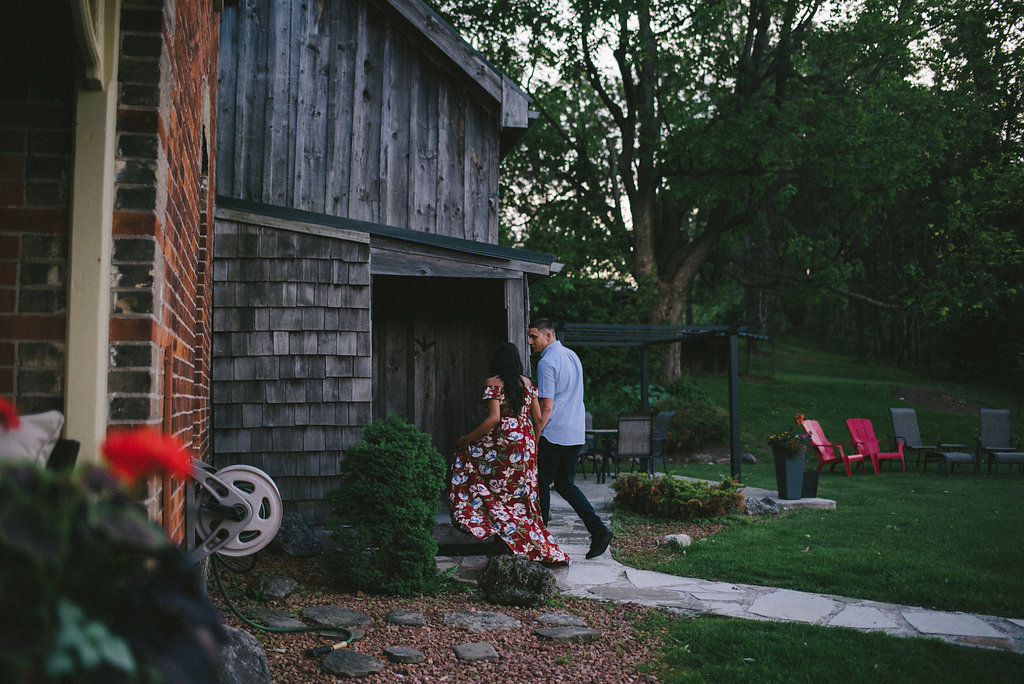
612	335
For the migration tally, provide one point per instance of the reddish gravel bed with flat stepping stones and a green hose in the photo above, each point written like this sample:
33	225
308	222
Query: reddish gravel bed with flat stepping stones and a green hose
625	654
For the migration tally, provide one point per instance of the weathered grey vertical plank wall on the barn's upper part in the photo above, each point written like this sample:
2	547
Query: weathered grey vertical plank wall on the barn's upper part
338	107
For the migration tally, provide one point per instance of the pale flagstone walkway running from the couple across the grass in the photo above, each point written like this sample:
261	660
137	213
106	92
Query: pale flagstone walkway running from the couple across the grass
606	579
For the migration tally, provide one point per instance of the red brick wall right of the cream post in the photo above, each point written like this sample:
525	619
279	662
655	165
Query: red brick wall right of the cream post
164	191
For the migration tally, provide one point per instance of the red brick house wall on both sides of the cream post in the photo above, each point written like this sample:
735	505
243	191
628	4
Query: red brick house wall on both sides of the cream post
164	154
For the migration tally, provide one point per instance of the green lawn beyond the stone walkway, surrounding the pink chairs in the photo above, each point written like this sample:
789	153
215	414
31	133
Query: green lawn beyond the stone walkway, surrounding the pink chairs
928	540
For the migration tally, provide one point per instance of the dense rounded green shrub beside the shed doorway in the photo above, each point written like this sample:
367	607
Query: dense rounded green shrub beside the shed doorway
385	511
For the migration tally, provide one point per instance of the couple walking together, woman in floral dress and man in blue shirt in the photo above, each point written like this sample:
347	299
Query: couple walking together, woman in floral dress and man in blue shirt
502	476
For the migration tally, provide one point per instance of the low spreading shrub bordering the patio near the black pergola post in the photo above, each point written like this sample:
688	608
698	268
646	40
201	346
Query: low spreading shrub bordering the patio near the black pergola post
678	499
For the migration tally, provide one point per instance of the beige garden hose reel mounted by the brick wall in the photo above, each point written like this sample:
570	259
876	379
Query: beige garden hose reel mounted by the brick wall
238	510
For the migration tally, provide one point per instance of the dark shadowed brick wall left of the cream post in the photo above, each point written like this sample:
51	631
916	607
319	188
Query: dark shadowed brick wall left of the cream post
37	107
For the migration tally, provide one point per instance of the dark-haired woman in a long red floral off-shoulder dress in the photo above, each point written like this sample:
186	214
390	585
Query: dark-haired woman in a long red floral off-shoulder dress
493	488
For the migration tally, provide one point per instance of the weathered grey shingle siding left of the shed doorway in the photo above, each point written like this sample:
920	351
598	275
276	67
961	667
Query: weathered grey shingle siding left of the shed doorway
292	353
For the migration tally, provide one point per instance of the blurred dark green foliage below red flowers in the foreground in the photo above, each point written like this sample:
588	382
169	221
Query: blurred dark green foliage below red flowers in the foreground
98	591
